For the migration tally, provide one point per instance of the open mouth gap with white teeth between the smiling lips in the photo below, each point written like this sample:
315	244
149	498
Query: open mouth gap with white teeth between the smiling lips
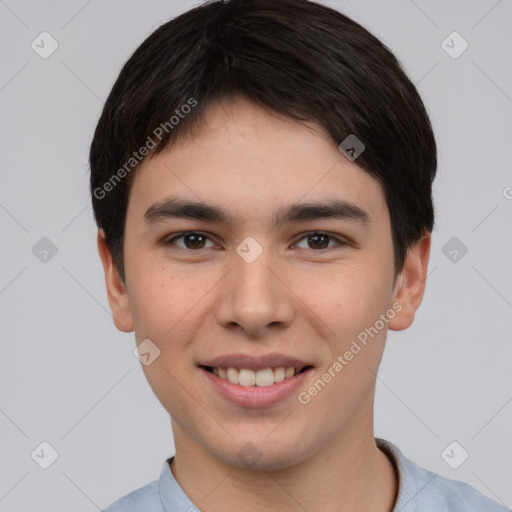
247	377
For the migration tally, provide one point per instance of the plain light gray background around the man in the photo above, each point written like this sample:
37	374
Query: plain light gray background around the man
70	379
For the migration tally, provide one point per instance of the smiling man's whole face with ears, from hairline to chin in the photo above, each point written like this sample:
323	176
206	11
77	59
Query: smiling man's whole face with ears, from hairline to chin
257	285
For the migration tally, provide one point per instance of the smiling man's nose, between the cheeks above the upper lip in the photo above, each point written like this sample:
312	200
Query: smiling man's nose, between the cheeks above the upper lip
255	298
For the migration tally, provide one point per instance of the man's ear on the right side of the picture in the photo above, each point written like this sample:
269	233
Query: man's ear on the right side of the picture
410	283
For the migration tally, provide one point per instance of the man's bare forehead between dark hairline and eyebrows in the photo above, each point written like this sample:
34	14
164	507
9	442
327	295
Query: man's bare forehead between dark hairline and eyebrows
250	159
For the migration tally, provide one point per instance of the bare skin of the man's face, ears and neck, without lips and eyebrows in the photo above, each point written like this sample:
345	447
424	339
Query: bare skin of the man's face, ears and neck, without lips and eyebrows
297	298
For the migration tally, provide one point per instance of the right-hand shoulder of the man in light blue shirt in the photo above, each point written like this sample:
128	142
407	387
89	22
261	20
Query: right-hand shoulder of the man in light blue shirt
421	490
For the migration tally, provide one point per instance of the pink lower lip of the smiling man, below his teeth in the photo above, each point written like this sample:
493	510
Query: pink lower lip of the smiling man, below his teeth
257	396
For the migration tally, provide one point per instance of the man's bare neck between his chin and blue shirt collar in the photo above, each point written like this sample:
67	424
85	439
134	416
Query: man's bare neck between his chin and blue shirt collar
349	474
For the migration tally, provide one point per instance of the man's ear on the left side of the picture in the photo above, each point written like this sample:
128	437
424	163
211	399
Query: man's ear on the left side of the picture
116	289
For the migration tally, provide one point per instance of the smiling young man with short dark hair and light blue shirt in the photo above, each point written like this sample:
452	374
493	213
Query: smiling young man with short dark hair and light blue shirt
261	177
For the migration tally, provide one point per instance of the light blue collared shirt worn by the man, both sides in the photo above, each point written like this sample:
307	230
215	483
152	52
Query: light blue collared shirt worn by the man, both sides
419	491
